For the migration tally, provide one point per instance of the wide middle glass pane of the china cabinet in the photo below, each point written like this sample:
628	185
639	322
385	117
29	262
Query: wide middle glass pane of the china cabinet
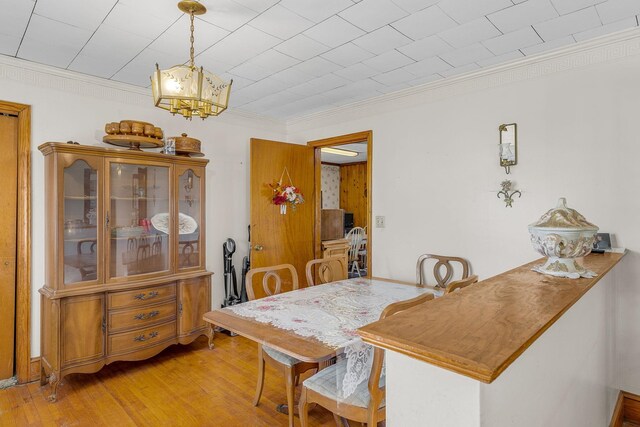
139	222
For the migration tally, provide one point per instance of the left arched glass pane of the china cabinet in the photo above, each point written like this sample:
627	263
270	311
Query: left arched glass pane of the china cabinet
80	223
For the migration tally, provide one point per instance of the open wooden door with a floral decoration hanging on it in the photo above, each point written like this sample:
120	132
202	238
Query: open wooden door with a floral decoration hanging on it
281	238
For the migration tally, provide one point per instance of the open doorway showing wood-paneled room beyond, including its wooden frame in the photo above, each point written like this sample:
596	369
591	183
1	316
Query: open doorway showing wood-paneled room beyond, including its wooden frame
345	197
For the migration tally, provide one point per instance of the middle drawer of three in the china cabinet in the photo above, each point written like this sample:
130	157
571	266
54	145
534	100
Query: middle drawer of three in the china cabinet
140	317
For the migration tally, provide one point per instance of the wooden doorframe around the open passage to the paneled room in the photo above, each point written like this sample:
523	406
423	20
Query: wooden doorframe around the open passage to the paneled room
350	138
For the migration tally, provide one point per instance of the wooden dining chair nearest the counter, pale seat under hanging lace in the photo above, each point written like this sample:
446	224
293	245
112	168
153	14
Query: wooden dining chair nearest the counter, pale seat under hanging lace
367	402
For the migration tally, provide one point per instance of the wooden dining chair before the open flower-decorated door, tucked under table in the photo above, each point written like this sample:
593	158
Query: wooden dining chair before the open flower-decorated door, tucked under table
287	365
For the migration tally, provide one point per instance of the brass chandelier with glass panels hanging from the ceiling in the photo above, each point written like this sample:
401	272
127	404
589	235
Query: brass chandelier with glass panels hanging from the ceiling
187	89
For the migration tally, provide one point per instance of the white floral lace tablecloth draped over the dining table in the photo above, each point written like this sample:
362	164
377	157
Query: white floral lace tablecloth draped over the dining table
331	313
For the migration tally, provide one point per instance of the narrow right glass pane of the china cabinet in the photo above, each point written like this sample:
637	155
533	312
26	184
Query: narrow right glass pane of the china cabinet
189	220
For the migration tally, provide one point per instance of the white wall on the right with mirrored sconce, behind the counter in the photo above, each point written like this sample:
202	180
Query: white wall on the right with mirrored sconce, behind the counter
436	173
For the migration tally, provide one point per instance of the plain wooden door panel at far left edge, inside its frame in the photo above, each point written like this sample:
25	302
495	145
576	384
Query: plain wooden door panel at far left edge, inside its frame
8	207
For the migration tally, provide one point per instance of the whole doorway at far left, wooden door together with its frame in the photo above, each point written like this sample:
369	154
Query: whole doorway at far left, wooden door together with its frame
15	251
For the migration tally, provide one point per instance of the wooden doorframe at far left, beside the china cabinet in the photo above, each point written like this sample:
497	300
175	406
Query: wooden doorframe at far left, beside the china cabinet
23	240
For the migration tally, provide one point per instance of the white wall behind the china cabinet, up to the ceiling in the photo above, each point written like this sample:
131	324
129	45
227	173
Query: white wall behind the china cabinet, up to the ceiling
72	109
